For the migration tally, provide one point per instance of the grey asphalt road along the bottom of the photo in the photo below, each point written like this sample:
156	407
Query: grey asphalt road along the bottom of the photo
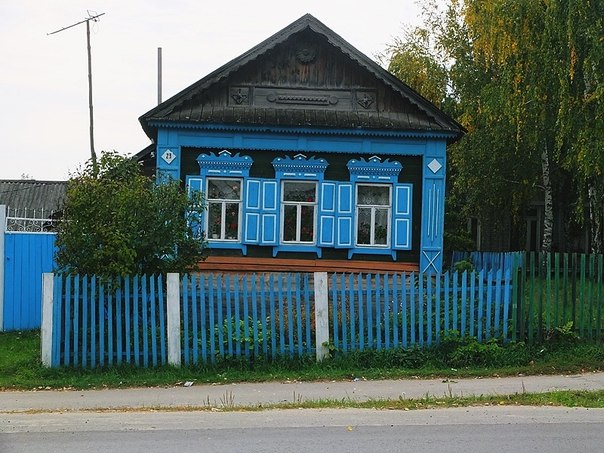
483	429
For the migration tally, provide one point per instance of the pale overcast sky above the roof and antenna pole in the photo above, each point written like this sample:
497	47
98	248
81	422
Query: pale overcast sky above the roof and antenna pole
44	129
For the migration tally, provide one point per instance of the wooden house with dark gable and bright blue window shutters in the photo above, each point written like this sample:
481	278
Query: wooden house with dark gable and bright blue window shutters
311	156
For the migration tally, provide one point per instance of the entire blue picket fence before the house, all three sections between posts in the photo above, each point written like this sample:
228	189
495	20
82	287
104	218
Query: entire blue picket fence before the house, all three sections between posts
268	315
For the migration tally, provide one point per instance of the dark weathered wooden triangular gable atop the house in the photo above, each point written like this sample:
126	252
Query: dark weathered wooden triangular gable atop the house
304	75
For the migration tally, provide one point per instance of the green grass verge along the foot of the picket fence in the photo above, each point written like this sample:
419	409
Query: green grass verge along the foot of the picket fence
20	366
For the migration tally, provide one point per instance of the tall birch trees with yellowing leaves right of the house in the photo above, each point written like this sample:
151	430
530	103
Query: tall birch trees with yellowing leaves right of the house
525	78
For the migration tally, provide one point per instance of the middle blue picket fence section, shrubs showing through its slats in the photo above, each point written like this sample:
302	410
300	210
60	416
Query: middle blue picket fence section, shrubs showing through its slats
255	315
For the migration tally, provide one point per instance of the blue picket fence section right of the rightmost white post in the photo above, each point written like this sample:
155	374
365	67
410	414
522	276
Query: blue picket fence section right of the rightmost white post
403	310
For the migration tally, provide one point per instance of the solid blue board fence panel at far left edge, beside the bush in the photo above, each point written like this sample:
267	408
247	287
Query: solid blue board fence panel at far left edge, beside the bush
27	257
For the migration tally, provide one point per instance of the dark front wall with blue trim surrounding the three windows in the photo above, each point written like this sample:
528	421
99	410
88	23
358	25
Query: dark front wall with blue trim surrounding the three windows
422	156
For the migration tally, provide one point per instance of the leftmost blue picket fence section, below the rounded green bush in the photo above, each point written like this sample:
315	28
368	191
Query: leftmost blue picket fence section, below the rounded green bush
105	324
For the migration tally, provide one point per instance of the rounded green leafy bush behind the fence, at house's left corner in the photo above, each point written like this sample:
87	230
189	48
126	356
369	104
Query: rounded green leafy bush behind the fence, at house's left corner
117	221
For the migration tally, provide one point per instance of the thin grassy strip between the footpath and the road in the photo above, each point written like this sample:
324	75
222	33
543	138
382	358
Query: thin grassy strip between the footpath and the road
566	398
